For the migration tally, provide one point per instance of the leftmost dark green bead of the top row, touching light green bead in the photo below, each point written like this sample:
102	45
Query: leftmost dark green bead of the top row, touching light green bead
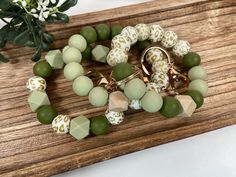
89	34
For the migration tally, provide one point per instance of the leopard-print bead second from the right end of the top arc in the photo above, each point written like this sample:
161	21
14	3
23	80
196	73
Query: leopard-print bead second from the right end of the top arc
169	39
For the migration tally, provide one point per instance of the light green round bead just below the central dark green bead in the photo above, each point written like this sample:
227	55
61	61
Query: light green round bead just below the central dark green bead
135	89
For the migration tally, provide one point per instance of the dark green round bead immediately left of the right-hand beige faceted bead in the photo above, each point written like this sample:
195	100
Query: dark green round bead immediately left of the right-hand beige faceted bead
171	107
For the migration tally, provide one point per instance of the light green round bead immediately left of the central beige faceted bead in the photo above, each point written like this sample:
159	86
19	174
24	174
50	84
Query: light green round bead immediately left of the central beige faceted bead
98	96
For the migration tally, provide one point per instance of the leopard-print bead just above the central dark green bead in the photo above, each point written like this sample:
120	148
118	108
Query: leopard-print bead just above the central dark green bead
116	56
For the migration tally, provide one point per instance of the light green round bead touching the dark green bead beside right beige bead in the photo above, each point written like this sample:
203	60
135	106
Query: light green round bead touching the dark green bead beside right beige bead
151	101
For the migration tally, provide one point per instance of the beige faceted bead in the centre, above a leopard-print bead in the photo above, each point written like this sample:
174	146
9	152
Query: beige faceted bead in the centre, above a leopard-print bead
118	102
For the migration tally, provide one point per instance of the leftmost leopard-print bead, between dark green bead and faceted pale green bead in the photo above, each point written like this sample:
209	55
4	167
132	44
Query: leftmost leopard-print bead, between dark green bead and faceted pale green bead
36	83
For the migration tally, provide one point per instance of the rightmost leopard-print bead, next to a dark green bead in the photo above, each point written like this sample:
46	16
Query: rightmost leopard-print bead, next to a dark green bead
181	48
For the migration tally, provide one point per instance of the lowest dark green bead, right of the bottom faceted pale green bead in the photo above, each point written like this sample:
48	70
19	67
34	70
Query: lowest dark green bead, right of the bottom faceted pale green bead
99	125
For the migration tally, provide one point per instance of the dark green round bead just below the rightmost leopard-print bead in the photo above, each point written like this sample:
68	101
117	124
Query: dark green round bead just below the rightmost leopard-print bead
191	59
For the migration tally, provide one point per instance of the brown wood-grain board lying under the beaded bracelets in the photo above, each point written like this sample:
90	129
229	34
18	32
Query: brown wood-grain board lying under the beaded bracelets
30	149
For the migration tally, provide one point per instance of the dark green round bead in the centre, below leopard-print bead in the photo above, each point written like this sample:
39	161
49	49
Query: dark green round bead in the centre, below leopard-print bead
121	71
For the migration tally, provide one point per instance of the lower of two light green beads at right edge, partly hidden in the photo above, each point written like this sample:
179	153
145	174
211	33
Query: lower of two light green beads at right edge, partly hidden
199	85
